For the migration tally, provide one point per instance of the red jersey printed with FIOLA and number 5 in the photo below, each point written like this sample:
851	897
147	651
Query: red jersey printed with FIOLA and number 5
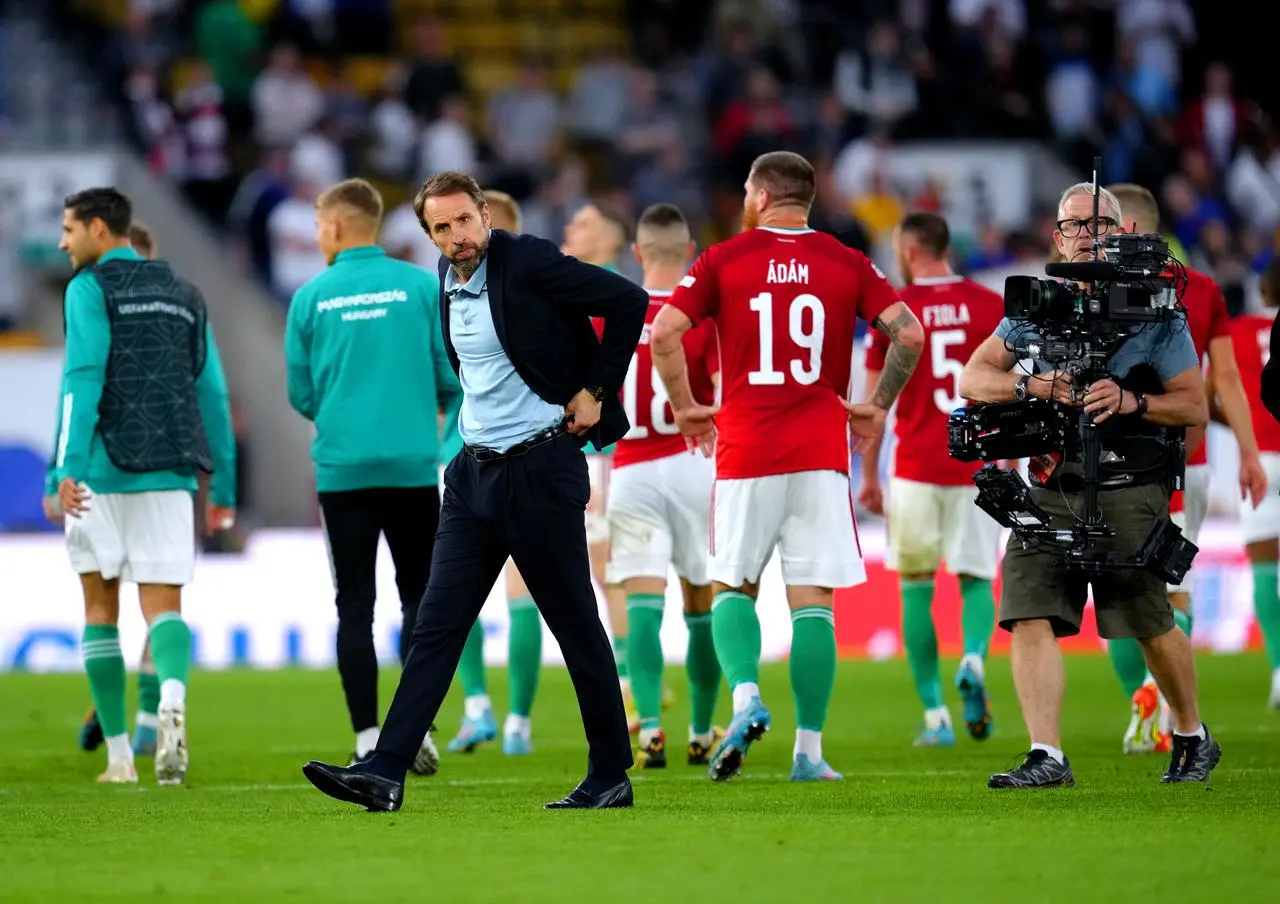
957	314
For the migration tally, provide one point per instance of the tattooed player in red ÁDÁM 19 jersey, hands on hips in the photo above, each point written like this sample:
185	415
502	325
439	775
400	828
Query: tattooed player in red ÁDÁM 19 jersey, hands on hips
785	302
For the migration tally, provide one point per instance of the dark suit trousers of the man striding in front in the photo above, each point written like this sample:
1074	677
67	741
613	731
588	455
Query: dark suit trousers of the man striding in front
531	508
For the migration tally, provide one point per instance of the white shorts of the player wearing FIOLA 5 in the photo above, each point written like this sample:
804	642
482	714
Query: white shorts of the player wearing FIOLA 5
931	524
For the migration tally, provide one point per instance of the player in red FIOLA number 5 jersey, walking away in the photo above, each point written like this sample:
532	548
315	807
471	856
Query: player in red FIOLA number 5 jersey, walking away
931	503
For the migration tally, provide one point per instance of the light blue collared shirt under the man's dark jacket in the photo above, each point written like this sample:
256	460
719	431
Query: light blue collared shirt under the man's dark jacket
499	409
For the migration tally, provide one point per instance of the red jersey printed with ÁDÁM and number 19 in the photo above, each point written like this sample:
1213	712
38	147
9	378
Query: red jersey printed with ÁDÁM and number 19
785	303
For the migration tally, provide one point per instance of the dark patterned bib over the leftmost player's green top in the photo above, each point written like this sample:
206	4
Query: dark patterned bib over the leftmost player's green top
149	417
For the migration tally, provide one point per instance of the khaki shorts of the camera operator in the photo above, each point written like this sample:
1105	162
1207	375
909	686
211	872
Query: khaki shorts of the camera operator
1128	604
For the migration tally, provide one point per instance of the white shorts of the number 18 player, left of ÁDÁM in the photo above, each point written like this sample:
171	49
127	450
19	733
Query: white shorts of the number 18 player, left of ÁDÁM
660	517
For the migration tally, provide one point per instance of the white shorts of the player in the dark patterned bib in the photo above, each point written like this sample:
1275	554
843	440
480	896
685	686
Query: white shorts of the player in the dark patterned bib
143	538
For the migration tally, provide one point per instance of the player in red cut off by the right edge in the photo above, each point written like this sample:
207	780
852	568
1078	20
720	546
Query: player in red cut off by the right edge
1251	335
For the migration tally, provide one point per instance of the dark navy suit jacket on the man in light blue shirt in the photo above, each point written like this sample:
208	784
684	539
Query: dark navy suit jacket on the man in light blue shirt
543	303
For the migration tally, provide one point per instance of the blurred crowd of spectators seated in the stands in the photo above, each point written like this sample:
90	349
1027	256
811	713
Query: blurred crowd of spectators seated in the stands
272	108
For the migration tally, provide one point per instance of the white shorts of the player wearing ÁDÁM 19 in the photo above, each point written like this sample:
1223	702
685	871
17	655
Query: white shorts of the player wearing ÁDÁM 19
808	517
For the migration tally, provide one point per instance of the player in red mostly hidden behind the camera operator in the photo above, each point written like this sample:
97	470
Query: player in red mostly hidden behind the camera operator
1206	318
